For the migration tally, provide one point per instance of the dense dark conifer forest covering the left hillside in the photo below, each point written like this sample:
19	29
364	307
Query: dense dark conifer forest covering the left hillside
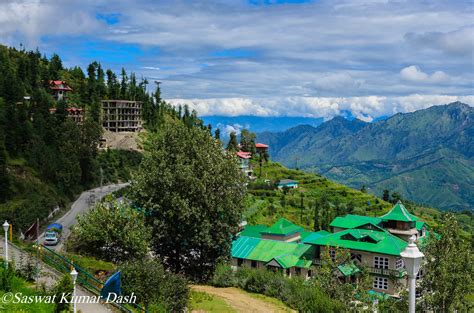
46	158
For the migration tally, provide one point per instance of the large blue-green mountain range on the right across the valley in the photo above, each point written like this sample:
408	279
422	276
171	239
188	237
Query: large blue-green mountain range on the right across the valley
427	155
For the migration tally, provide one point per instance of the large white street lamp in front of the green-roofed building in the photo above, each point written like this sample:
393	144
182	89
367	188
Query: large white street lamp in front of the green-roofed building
412	258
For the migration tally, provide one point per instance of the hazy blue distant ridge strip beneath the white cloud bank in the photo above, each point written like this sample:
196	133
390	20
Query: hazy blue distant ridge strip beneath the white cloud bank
259	124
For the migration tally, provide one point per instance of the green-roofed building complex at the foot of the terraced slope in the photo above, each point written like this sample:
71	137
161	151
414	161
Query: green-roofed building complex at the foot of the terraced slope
373	242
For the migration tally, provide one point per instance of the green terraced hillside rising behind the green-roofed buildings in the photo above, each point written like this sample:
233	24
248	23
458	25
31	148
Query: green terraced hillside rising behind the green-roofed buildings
266	204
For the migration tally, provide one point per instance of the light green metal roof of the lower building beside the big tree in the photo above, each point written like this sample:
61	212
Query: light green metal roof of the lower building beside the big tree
287	254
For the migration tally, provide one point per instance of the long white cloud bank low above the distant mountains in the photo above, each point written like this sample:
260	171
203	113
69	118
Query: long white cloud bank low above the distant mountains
365	108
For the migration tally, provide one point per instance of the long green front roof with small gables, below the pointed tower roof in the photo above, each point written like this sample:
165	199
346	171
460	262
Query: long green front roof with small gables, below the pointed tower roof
377	241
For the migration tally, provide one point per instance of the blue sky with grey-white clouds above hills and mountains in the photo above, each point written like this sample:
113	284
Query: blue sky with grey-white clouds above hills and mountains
266	58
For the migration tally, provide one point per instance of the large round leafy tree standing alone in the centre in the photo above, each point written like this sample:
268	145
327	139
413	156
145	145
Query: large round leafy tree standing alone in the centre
195	193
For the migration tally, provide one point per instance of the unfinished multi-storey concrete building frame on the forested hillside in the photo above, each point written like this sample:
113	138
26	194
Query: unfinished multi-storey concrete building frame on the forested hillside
122	115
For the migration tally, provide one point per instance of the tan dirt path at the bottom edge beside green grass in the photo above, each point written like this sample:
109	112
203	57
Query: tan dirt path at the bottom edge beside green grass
240	301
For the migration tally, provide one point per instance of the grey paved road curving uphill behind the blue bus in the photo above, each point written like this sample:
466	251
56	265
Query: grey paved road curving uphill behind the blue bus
85	201
